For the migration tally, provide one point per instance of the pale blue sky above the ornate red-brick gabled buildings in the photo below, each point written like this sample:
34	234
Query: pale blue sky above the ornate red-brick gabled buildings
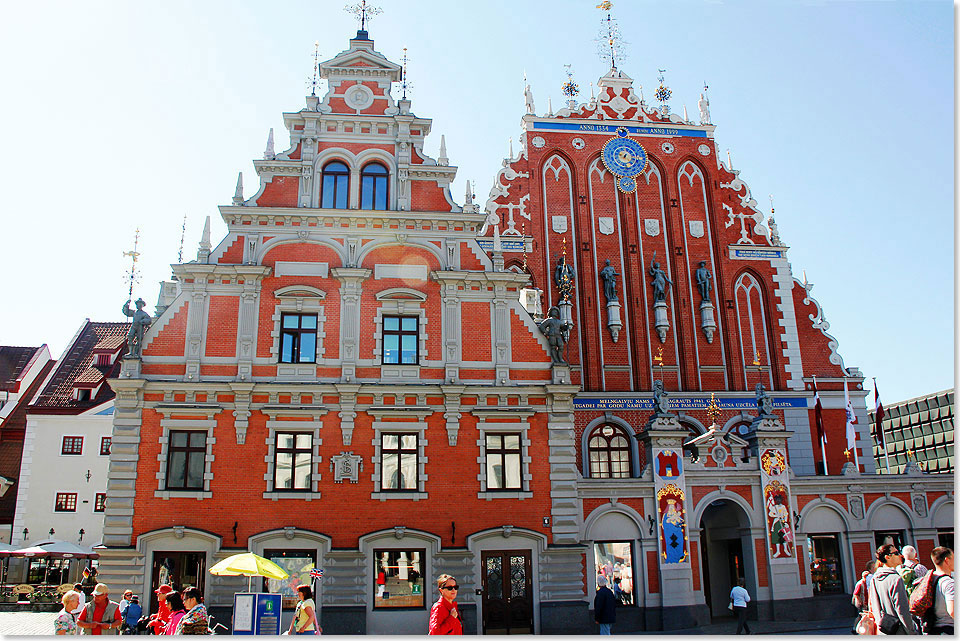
122	114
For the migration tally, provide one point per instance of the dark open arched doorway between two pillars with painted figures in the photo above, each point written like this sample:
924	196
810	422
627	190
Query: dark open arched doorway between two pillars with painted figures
727	552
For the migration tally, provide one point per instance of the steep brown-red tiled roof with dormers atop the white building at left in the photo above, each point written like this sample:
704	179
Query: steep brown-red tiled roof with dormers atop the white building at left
77	368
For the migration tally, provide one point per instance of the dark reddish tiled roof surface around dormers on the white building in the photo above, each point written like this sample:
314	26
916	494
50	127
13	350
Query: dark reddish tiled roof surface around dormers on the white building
75	365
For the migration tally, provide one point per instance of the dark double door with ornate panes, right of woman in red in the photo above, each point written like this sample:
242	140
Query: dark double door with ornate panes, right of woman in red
507	592
